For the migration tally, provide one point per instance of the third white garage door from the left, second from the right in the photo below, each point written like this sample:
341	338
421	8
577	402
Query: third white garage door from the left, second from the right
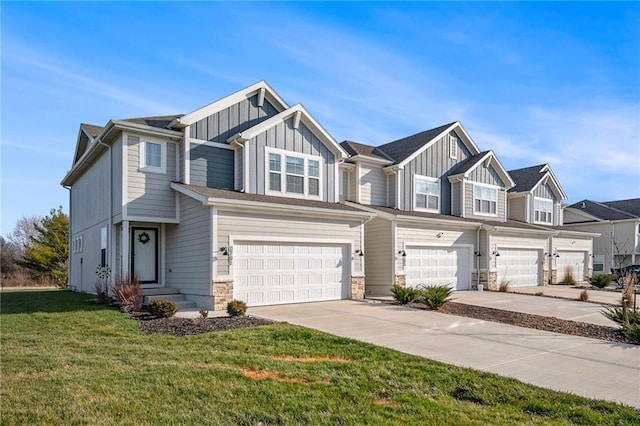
520	267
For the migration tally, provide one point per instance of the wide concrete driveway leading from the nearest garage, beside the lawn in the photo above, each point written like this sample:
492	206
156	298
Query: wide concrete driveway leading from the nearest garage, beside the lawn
587	367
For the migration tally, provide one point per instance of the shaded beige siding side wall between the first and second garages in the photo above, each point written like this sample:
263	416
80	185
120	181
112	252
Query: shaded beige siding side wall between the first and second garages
378	248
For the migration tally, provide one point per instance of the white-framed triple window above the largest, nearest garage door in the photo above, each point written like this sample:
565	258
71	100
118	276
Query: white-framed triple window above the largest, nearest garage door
293	174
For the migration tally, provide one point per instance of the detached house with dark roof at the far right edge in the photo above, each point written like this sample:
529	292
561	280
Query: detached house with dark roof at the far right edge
617	222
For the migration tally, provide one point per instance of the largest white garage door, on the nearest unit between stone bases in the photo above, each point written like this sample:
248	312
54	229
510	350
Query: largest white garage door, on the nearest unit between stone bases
268	273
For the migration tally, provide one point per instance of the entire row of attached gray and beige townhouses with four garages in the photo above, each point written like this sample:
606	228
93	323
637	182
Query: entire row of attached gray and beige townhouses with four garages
250	198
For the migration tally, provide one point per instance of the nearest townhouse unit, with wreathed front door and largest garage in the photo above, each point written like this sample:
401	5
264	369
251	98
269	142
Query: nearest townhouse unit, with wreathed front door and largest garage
238	199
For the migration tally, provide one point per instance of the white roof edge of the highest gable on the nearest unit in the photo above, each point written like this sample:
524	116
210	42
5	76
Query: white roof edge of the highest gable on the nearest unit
261	88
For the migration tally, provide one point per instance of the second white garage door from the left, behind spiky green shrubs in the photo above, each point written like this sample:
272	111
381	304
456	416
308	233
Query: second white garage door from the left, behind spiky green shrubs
438	266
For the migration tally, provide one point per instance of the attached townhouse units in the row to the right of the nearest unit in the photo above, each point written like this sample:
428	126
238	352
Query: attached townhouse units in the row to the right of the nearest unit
447	213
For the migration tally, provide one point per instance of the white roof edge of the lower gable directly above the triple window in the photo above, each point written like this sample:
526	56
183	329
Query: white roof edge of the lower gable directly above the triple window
299	113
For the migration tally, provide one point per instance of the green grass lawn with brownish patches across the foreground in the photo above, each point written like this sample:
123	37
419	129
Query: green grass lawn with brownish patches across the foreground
66	360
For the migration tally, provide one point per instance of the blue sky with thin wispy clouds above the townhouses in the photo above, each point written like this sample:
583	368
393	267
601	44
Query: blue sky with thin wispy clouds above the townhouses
555	83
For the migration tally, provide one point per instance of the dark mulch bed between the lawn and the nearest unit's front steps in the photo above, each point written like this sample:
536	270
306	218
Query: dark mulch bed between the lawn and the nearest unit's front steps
191	326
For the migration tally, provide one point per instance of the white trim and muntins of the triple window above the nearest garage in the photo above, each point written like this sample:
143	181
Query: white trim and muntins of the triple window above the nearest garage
283	174
